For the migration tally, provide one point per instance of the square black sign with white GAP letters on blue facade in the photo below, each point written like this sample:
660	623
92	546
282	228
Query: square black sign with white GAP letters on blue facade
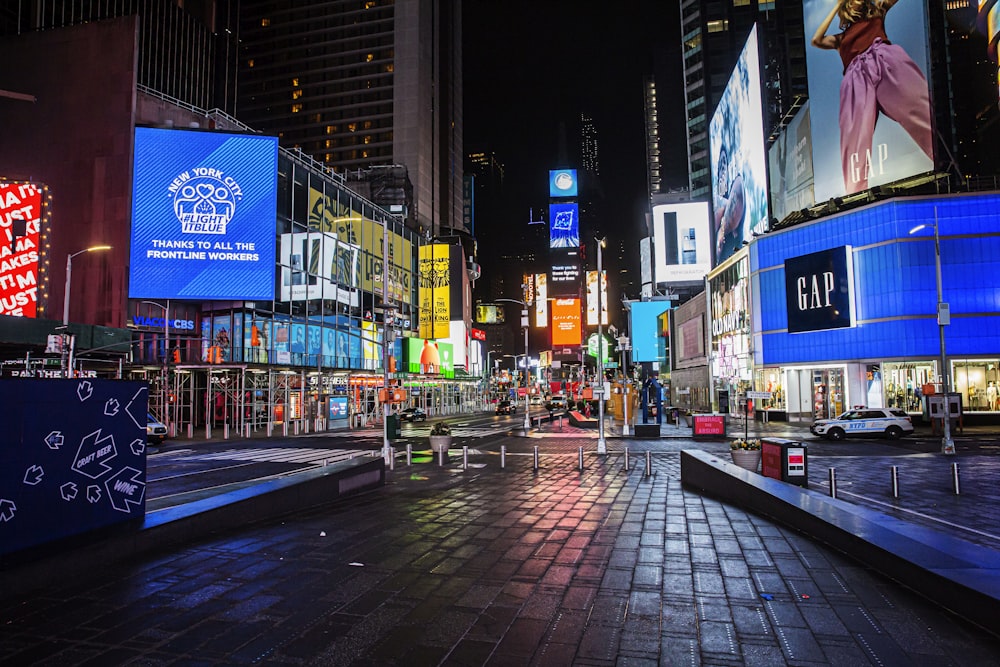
819	290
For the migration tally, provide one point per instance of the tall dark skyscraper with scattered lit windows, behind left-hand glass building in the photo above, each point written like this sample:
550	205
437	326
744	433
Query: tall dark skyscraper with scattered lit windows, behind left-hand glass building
356	85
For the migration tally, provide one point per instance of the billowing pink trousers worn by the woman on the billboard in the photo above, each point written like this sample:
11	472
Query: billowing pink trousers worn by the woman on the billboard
882	79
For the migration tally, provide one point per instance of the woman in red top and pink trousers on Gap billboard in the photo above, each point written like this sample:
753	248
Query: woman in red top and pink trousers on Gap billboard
879	76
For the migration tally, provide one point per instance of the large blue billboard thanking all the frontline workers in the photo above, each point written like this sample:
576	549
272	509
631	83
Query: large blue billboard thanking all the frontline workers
203	215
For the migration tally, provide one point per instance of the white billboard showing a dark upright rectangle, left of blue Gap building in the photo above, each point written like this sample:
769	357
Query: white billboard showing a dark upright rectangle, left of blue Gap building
681	246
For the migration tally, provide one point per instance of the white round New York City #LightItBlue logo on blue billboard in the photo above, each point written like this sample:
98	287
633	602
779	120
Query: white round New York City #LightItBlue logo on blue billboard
204	200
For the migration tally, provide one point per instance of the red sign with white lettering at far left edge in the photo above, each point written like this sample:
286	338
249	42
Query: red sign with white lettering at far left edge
20	221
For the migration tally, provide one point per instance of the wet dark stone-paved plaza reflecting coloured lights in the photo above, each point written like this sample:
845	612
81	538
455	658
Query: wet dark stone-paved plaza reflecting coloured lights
483	566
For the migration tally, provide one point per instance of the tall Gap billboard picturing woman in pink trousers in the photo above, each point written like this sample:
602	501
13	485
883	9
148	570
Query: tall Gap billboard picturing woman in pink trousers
856	143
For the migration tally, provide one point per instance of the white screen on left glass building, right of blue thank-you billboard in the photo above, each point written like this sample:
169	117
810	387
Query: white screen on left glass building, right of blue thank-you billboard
315	265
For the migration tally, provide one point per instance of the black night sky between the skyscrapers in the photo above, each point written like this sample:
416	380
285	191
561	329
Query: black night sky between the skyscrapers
530	65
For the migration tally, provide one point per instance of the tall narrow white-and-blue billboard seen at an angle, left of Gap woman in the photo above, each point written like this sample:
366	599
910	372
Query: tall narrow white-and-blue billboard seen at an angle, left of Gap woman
739	169
